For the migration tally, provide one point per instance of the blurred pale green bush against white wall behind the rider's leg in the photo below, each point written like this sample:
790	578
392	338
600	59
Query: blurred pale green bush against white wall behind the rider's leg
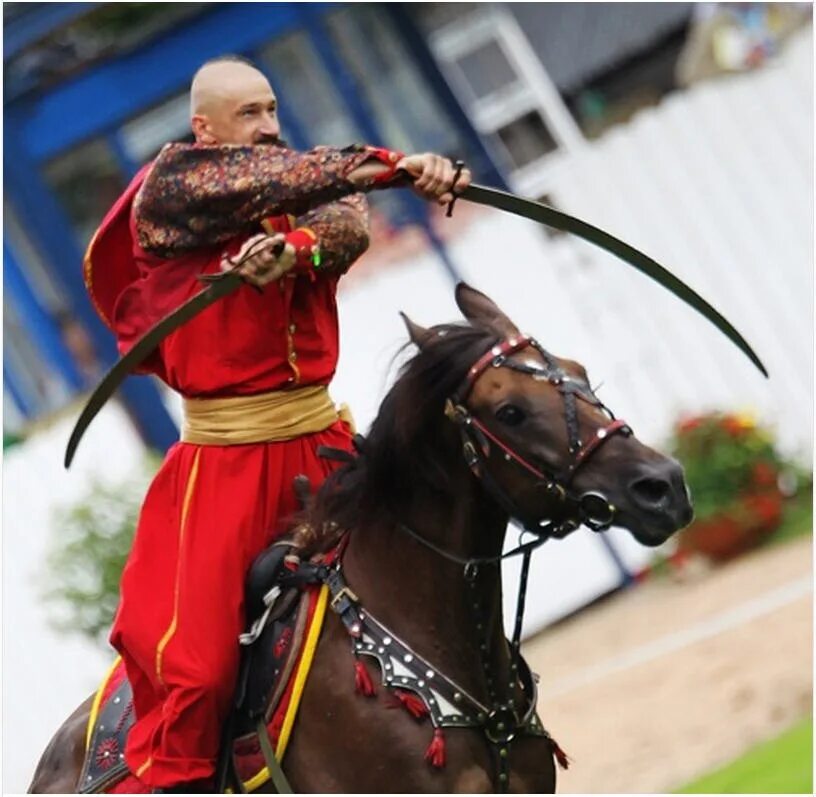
92	543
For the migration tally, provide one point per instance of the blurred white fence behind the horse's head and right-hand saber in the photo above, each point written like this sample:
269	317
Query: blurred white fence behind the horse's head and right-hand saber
716	184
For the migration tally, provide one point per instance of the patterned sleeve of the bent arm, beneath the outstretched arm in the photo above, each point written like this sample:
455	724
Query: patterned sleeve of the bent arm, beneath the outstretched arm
342	231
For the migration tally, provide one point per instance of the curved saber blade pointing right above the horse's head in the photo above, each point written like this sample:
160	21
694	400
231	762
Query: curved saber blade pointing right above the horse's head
535	211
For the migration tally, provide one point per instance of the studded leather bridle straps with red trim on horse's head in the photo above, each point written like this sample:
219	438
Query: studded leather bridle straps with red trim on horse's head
590	508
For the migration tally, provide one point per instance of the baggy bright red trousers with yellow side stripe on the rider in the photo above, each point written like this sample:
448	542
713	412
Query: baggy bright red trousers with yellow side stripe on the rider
208	513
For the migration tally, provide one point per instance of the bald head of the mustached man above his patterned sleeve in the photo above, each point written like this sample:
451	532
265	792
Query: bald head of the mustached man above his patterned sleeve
231	102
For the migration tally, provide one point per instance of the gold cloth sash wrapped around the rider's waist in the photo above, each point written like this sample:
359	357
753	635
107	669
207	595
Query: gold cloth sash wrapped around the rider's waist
263	418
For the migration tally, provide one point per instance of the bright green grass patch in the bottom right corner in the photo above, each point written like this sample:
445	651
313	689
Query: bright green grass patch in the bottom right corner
782	766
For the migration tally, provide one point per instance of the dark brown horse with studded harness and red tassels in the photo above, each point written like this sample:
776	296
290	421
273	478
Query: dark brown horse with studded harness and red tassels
482	426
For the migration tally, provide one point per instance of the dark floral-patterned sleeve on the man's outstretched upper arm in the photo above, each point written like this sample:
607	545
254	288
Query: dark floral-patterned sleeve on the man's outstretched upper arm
197	196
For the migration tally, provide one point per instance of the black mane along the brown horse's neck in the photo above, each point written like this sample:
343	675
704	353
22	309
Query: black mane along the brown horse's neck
404	447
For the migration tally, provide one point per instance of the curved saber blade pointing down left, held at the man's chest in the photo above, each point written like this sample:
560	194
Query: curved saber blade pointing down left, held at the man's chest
222	286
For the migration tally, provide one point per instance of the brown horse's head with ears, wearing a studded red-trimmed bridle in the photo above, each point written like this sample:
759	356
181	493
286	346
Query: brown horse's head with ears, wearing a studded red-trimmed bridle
543	445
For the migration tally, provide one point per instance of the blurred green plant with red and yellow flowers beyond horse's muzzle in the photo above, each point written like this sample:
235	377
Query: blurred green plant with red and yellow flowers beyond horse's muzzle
726	456
